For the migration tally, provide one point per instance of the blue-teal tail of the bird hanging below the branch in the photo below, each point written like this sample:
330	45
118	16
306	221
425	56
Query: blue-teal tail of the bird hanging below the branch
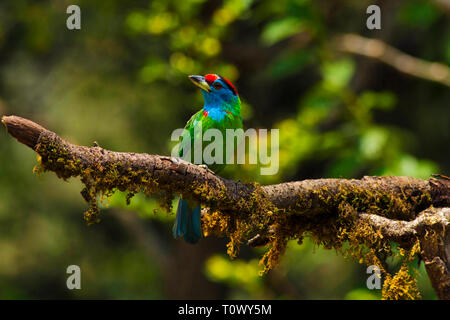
187	221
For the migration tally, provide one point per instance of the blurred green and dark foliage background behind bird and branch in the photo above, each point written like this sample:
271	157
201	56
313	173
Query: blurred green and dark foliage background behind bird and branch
122	81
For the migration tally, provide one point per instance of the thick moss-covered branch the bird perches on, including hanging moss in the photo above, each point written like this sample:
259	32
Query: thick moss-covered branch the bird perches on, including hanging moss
370	211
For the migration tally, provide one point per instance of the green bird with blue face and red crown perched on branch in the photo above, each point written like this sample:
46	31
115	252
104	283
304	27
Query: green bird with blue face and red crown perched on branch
221	111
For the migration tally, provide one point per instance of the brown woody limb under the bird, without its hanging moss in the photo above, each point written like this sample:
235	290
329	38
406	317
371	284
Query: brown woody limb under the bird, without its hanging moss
302	197
